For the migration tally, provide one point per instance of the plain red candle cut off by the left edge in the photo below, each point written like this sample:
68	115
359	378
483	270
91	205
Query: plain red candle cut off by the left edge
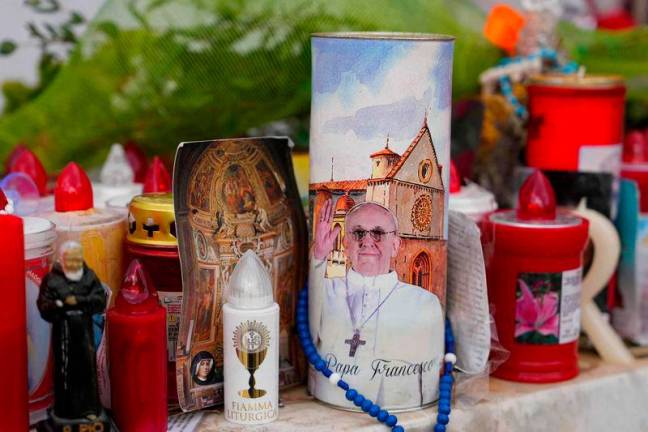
14	412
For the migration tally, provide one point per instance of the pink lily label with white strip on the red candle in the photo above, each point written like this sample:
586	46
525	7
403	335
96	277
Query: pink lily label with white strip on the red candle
547	310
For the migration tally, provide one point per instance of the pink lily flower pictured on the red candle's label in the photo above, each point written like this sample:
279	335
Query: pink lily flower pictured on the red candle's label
536	313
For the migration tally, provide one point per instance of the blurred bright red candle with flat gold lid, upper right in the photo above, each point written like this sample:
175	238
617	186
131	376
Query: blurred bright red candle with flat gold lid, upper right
576	123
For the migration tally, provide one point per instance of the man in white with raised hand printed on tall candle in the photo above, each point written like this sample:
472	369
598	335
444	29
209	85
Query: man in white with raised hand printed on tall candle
384	336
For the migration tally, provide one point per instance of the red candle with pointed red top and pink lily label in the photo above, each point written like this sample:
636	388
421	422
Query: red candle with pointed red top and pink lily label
534	260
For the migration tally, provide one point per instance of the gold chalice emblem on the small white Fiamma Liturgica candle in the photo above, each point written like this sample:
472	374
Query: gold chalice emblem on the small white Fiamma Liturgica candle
251	340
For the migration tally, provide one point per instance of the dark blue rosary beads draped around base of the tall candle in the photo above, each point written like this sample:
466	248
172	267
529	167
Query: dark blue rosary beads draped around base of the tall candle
352	395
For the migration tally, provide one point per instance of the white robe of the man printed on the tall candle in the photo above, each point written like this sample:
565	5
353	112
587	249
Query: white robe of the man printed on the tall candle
398	366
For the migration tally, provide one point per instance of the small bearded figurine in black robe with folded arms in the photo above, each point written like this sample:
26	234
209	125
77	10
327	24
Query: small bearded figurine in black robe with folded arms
69	296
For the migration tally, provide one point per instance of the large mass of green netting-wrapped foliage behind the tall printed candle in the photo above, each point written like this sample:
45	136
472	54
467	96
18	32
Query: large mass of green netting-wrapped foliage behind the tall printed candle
165	71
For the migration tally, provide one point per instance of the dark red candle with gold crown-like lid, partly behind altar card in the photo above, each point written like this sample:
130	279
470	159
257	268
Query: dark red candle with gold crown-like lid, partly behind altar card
151	239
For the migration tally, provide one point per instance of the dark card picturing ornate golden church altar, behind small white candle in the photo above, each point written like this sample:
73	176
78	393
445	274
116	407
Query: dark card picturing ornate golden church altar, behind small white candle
231	196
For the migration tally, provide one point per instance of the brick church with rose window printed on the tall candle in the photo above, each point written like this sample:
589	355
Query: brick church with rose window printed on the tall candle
411	186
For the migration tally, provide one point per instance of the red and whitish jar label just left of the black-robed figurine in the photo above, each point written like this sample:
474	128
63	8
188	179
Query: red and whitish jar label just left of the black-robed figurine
39	331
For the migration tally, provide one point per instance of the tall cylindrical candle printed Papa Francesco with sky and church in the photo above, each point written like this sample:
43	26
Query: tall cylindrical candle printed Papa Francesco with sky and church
380	146
